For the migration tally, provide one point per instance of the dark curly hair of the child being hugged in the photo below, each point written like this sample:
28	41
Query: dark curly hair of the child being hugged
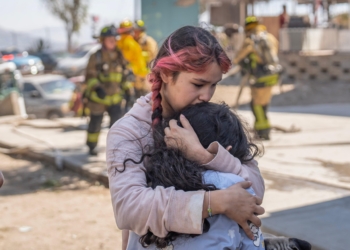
168	167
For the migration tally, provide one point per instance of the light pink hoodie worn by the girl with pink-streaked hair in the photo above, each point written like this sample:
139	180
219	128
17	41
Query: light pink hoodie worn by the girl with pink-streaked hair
140	208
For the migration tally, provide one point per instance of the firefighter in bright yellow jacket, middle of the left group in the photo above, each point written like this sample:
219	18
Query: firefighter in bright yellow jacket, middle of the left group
132	52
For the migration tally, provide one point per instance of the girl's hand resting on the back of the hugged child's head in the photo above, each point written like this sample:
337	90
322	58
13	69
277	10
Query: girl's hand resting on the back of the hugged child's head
185	139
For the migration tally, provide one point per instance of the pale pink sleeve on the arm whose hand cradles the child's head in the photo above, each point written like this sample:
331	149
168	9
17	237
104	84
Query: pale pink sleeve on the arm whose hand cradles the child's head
227	163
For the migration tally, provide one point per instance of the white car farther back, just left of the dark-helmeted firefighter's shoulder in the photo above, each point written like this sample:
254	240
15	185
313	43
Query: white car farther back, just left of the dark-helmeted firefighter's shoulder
75	64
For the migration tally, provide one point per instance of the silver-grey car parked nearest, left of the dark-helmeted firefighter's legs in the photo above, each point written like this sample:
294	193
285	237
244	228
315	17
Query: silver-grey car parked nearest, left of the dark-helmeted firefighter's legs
47	96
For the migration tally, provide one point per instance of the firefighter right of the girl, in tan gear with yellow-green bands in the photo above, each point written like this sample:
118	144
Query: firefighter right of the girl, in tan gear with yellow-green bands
258	58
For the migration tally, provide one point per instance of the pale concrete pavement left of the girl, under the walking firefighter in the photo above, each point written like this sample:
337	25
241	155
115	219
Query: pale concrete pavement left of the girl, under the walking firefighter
46	140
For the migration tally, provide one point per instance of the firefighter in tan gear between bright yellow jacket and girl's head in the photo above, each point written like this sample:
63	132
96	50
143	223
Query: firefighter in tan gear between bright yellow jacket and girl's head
149	51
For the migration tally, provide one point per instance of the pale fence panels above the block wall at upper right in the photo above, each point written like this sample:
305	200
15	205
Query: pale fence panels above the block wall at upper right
308	39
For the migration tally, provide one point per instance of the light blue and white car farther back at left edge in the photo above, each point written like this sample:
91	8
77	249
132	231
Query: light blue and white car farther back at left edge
25	63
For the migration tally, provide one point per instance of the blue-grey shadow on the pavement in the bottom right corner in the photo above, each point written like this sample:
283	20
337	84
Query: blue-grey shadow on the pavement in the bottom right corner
316	223
